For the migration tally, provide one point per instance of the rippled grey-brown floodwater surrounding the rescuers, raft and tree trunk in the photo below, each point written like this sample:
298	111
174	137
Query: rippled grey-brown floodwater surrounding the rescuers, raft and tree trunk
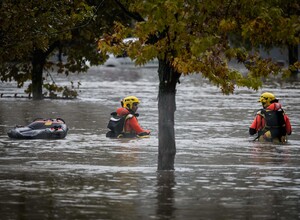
220	173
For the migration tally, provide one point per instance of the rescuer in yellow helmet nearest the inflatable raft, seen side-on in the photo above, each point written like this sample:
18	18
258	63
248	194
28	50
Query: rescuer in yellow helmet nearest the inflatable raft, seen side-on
124	123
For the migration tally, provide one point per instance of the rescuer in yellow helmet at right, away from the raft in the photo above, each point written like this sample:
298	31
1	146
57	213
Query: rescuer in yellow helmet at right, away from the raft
271	123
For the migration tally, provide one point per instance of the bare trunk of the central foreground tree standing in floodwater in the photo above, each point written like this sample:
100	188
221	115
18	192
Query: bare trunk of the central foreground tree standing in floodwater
168	79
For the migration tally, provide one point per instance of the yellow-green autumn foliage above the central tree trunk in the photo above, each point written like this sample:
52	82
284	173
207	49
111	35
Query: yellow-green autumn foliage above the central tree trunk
203	36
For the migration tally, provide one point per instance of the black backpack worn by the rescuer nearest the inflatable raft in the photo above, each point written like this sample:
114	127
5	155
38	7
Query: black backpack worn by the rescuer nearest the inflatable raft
116	125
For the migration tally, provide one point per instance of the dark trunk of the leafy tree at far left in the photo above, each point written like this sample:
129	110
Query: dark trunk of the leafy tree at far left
38	62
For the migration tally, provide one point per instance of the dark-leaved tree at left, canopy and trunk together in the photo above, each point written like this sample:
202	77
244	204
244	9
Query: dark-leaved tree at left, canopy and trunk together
33	30
